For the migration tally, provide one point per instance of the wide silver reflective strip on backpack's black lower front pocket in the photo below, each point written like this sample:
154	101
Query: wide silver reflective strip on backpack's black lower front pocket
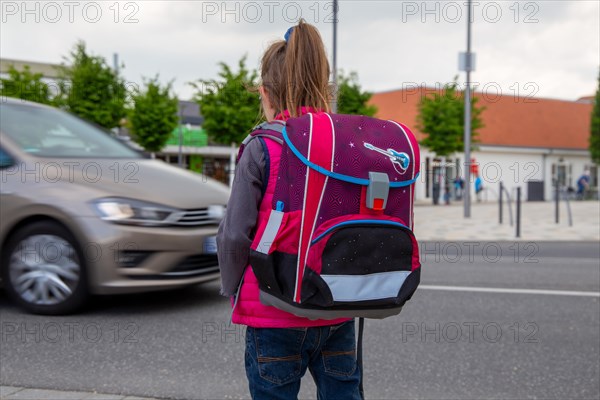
376	286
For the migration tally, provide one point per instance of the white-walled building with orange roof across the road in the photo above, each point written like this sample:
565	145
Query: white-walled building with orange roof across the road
526	141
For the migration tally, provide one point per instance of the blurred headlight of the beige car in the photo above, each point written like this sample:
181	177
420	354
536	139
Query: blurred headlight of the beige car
134	212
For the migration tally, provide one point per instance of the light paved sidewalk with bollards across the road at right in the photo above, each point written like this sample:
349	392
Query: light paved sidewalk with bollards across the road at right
446	223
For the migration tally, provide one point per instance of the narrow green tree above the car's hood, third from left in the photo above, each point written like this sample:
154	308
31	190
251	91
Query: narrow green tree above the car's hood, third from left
153	115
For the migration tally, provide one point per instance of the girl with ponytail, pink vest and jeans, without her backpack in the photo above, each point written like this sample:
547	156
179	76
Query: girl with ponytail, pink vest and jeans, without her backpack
280	346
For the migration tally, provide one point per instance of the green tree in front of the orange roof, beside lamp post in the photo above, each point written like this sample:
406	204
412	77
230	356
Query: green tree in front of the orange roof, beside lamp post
442	116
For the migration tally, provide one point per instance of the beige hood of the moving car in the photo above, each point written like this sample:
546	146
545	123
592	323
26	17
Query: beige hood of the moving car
149	180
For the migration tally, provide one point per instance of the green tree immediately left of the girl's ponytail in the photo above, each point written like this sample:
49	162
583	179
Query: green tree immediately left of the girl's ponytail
228	107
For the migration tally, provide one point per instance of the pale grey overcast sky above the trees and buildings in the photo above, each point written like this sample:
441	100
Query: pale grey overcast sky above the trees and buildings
533	48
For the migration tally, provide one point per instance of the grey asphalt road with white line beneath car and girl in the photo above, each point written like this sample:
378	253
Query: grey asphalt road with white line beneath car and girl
446	344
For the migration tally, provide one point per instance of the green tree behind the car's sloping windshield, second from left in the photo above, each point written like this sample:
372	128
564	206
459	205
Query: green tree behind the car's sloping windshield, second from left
91	89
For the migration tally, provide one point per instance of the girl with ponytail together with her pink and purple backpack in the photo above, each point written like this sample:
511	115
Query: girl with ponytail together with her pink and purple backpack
321	210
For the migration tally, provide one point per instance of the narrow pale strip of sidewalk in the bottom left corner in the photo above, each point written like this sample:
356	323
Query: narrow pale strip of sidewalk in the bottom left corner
19	393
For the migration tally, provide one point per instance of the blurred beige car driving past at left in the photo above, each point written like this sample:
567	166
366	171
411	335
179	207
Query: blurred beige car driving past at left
82	213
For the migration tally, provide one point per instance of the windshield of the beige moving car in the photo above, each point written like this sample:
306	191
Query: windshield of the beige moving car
49	132
